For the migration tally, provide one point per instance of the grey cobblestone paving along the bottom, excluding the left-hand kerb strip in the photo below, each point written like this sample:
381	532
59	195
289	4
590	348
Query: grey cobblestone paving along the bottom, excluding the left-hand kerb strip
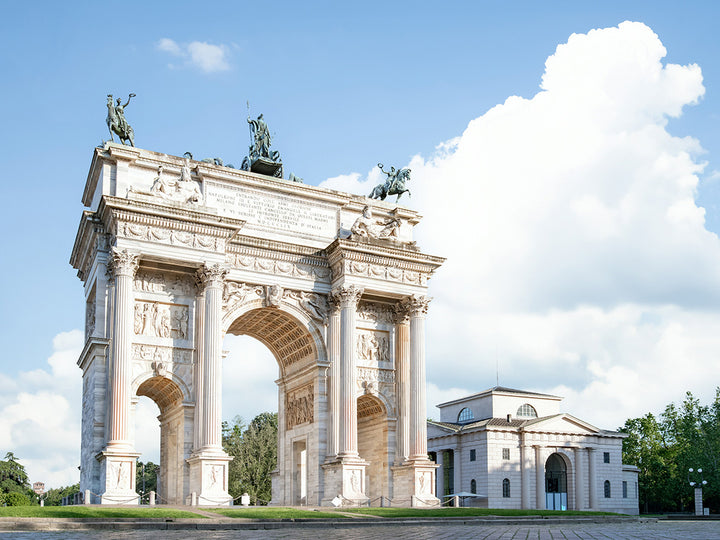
660	530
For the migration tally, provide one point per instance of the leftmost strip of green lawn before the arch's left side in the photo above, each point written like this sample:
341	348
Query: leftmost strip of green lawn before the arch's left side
94	512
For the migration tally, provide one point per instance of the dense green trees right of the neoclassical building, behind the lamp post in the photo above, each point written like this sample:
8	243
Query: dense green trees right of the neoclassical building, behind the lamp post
664	448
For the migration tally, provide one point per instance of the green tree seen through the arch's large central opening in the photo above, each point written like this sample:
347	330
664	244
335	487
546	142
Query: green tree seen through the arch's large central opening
254	449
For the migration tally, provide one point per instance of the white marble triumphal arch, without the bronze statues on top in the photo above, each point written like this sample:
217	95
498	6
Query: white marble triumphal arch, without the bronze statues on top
175	253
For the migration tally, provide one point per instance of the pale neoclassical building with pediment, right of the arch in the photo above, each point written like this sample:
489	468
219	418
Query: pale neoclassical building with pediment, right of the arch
515	449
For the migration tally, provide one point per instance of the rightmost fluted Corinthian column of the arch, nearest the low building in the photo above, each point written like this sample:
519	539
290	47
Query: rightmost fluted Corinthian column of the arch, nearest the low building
417	306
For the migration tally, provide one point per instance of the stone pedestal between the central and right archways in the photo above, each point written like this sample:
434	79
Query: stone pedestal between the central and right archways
345	482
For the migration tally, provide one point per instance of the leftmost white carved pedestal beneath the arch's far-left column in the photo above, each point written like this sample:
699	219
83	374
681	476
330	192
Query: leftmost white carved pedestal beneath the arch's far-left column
117	477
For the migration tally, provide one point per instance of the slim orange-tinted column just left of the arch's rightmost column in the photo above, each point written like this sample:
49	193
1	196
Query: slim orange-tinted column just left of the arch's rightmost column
402	380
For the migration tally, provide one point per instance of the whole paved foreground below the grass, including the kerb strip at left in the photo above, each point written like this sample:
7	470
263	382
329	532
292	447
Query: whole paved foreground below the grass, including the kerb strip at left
369	529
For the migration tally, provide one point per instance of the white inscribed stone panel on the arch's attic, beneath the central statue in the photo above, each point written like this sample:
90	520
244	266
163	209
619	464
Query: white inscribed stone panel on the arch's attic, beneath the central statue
272	210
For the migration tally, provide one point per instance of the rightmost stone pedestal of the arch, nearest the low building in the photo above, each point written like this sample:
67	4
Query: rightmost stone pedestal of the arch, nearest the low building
414	484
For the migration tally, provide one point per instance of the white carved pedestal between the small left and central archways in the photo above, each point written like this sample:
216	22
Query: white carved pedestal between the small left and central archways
209	478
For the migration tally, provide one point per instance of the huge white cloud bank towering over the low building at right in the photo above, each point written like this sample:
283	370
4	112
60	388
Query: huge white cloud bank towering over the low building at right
578	259
